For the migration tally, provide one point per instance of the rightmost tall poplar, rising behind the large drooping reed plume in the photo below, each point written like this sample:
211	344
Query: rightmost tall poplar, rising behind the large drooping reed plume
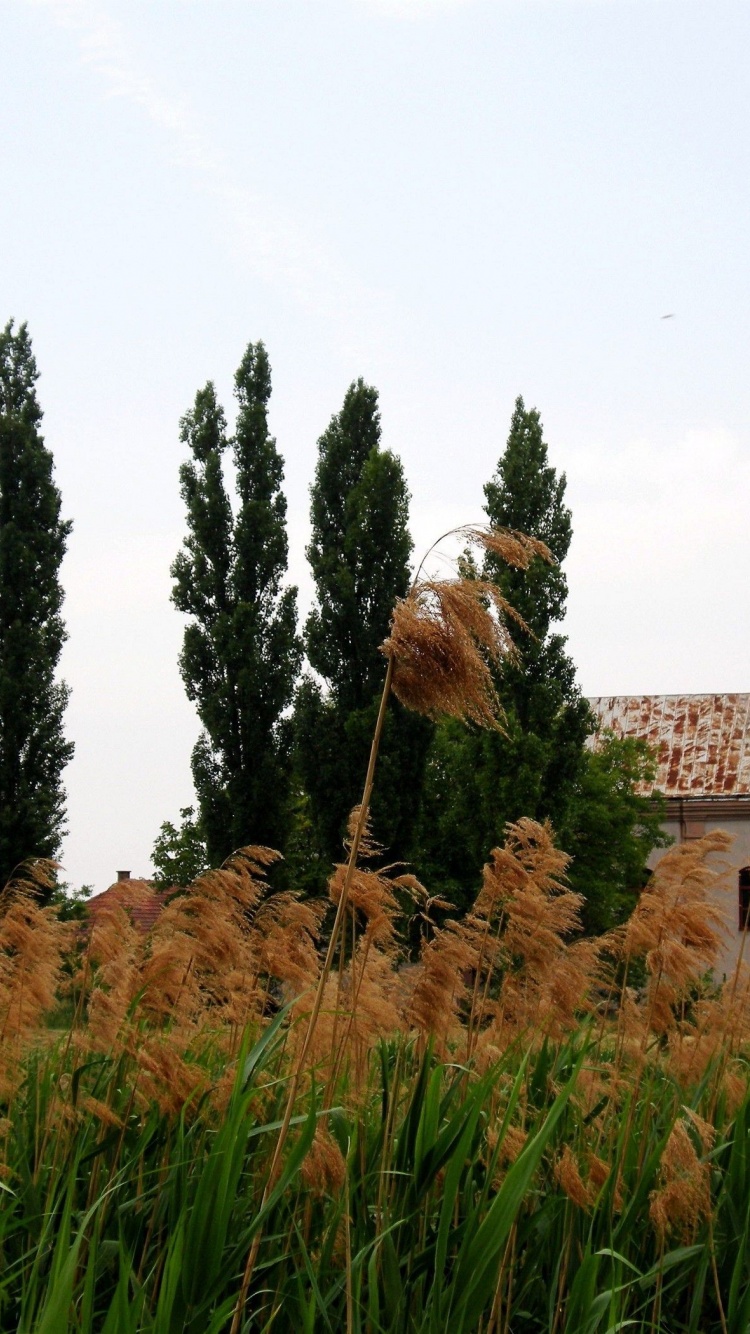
478	781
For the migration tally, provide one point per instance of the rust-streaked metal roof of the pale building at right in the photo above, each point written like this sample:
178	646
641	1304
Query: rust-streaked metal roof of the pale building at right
703	741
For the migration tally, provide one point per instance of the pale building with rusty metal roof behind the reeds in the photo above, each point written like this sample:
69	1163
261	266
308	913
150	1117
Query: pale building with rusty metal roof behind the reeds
703	745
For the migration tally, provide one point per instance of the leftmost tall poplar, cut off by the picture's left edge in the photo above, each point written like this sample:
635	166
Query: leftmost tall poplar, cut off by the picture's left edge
33	542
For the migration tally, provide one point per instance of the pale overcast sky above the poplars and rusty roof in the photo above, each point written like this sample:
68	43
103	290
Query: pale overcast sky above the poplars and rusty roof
461	202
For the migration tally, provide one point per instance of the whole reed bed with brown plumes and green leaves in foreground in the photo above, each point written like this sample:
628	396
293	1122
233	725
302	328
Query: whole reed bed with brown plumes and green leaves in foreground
504	1133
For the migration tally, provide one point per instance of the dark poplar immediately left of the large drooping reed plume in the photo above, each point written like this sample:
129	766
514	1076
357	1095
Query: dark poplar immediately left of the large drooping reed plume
360	556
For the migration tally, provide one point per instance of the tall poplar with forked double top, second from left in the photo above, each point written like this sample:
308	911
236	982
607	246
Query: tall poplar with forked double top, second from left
241	653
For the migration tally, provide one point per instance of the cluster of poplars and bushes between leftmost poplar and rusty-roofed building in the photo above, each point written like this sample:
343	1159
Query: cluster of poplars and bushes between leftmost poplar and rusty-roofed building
288	717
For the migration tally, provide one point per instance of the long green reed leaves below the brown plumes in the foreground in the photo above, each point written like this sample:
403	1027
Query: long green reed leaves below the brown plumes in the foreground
418	1221
